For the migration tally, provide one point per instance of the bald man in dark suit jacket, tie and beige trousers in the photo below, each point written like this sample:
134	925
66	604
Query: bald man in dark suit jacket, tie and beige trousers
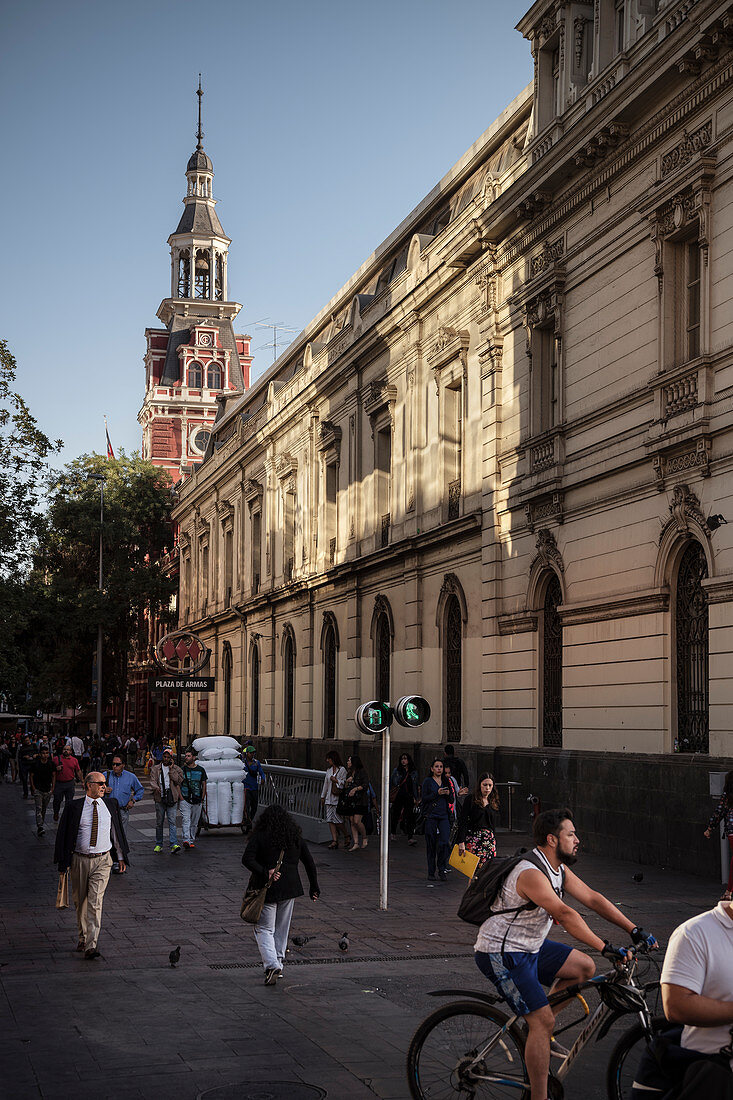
90	838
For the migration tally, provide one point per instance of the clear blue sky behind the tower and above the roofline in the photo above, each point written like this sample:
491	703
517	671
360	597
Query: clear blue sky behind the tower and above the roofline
327	123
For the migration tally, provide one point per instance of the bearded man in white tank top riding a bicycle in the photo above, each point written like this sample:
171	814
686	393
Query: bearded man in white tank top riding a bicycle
513	951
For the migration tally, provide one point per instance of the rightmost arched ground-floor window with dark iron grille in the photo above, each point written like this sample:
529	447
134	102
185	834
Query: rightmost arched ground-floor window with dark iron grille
693	651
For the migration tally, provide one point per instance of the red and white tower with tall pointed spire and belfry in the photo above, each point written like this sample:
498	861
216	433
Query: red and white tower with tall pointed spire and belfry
198	359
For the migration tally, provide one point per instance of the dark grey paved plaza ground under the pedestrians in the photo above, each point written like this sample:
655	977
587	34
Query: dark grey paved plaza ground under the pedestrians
129	1026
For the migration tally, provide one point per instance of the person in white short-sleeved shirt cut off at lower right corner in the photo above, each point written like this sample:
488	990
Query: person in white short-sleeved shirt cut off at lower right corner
697	983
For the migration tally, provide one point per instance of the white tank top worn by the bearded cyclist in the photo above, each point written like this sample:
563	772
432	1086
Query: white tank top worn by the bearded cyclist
519	932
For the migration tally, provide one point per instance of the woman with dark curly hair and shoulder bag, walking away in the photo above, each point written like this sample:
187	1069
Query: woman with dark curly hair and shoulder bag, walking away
275	833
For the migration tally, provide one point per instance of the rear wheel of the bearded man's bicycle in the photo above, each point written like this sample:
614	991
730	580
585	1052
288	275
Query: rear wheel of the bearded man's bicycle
466	1050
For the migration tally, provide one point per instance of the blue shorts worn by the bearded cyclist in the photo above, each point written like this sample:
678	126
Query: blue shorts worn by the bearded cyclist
520	976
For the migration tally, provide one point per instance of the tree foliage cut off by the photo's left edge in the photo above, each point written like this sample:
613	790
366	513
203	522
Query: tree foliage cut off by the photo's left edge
25	452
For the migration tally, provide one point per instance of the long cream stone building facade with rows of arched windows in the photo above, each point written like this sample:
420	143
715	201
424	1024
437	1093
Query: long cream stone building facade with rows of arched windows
496	469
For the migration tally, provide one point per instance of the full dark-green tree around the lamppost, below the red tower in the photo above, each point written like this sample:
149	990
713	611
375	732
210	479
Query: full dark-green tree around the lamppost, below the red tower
137	532
